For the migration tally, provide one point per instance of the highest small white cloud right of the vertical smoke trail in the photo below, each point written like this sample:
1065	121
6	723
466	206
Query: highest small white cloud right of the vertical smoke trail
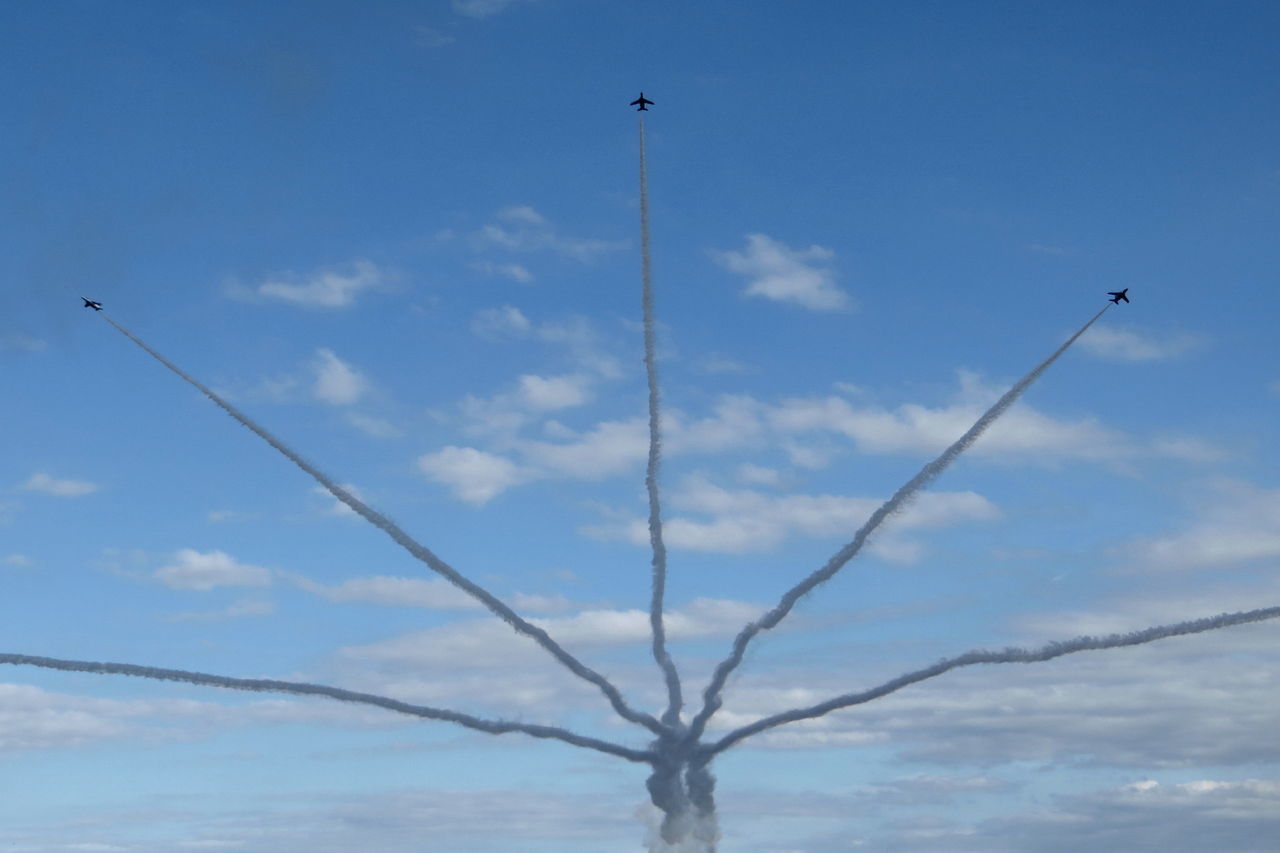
783	275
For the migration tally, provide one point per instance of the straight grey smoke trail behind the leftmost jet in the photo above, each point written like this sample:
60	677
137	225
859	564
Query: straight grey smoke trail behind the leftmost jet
419	551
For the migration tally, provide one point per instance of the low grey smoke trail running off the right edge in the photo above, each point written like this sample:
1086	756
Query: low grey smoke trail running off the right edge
1008	656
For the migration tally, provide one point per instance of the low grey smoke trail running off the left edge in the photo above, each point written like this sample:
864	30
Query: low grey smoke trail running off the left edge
300	688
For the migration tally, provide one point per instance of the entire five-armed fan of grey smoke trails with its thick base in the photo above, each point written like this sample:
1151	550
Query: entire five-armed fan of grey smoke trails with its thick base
682	787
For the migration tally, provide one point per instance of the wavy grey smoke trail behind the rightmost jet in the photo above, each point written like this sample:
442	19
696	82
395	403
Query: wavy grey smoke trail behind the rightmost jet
712	695
